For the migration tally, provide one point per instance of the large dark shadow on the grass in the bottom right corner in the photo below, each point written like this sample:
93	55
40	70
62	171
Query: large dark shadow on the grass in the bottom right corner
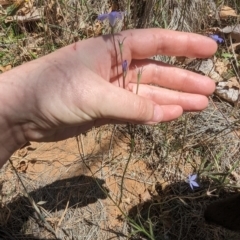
177	212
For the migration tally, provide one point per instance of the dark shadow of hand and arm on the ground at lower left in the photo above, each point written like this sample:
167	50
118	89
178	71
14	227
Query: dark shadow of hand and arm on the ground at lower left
77	192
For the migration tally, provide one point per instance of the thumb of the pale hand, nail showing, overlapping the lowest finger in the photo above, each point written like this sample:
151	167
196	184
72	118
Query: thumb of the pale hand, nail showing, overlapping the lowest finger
119	104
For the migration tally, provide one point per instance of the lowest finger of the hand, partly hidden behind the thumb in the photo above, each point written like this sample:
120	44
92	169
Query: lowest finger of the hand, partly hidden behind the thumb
188	102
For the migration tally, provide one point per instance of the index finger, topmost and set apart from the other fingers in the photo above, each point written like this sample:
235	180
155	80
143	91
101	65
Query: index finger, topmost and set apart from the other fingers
144	43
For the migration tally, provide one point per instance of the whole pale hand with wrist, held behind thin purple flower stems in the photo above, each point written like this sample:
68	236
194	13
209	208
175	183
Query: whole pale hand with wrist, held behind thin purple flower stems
75	88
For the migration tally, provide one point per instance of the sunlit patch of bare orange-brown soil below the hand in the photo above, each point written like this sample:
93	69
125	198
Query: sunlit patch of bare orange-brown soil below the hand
41	164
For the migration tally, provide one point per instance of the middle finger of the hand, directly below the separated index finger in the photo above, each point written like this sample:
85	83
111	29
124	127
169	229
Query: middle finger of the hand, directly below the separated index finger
169	76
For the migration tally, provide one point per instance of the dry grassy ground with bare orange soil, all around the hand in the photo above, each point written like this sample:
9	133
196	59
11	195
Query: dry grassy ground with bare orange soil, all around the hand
77	186
